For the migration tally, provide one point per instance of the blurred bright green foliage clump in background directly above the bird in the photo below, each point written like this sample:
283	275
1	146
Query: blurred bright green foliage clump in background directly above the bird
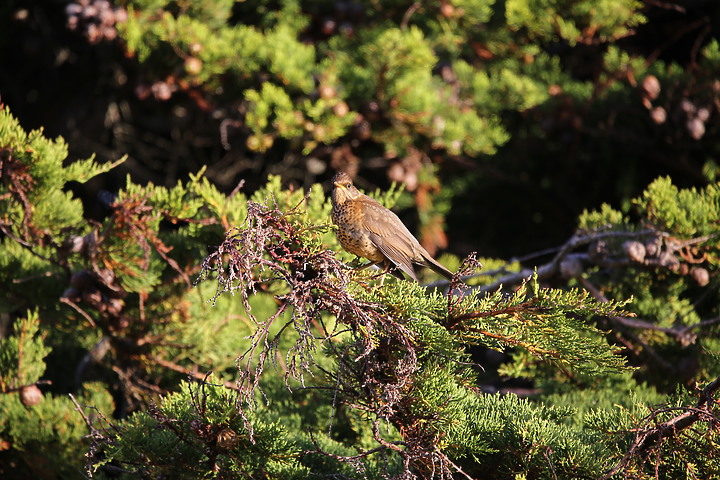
399	63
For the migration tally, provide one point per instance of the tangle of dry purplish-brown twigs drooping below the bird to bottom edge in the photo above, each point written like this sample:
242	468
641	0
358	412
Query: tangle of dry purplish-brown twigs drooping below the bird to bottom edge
375	370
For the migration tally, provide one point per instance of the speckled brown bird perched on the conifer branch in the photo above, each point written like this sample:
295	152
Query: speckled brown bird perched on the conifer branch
369	230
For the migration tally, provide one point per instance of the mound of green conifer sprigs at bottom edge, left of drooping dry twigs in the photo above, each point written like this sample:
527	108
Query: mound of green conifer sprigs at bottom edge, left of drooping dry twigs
199	430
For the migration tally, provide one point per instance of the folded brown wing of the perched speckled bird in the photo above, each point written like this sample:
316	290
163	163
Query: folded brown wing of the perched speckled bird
390	235
